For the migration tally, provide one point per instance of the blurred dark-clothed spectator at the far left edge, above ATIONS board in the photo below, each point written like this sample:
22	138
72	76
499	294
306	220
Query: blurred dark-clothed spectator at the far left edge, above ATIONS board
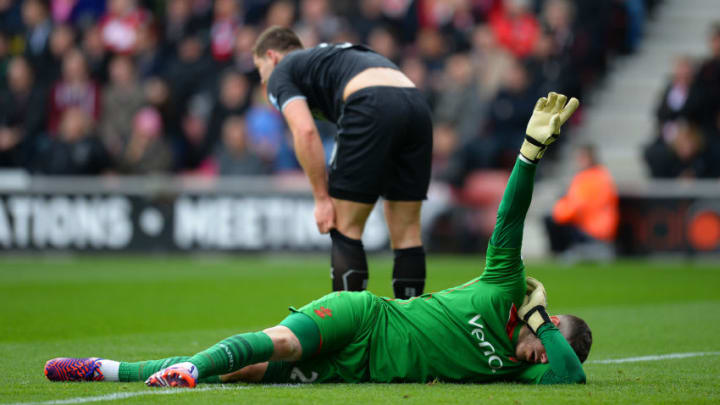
21	120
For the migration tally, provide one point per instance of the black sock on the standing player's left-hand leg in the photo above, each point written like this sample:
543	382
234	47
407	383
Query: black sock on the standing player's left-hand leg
348	263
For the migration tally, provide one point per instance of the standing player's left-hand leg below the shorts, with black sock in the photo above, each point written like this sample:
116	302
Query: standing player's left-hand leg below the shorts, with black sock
349	269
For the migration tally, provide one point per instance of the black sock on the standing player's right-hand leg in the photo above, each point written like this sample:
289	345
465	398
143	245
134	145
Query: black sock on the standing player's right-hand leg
409	272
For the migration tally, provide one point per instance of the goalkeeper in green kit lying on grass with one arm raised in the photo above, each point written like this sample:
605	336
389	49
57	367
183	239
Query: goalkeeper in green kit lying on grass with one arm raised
492	328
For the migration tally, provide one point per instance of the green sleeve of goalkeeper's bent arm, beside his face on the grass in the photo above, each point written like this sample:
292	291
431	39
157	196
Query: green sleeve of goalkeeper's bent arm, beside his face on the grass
565	367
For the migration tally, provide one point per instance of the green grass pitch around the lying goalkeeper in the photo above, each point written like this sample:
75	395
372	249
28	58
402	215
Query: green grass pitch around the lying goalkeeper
142	307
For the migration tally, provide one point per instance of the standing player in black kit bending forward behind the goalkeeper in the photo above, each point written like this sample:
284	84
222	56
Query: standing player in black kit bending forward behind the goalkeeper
383	148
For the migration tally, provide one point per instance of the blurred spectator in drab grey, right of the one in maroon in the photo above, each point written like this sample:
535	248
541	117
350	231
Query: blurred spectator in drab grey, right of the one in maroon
122	98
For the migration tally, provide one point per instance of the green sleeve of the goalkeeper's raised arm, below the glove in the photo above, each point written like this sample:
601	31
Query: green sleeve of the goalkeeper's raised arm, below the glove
503	262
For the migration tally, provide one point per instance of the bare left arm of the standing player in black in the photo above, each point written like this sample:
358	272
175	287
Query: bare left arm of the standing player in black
311	155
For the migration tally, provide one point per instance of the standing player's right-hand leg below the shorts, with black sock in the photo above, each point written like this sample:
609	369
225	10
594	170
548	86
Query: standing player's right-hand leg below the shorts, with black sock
403	220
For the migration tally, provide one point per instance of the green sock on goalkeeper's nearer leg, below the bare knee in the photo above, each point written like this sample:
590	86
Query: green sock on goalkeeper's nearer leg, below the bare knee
233	354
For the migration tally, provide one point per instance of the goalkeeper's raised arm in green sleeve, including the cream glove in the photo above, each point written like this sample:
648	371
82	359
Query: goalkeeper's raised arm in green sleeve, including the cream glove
503	254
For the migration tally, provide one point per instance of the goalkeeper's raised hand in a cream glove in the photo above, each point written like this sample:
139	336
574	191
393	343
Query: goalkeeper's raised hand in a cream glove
544	126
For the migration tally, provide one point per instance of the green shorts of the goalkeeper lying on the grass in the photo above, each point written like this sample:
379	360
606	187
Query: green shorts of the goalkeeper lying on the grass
346	320
